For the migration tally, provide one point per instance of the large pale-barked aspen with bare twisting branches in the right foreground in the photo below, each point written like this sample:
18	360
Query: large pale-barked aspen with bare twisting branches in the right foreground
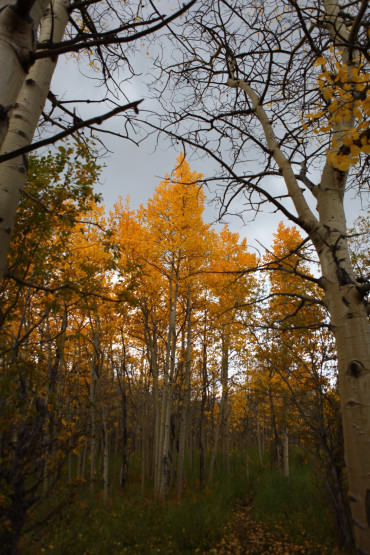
276	94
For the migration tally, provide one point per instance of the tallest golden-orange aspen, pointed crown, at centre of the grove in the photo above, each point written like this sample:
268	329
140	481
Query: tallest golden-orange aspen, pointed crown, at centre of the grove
167	241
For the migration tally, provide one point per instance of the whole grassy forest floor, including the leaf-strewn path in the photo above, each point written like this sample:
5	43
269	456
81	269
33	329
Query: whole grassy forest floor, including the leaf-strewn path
266	515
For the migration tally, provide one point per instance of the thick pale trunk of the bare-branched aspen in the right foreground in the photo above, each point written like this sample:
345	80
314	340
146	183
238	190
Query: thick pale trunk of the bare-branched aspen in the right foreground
351	329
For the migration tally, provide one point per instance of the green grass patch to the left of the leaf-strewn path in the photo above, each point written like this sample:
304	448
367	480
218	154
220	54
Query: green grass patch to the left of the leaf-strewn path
135	524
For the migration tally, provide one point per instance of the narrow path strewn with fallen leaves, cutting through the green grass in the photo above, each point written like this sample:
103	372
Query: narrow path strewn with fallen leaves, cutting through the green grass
245	535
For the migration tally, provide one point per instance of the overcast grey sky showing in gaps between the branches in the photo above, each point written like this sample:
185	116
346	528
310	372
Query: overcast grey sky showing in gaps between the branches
135	171
